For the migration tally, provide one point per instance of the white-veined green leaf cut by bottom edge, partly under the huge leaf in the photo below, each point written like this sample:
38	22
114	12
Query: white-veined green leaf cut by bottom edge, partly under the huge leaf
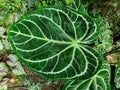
100	81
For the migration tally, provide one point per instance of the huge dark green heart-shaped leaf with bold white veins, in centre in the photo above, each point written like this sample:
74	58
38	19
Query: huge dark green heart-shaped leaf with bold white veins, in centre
54	42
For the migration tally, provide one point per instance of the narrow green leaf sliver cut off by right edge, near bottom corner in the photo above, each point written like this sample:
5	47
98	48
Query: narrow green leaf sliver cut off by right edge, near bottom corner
117	76
